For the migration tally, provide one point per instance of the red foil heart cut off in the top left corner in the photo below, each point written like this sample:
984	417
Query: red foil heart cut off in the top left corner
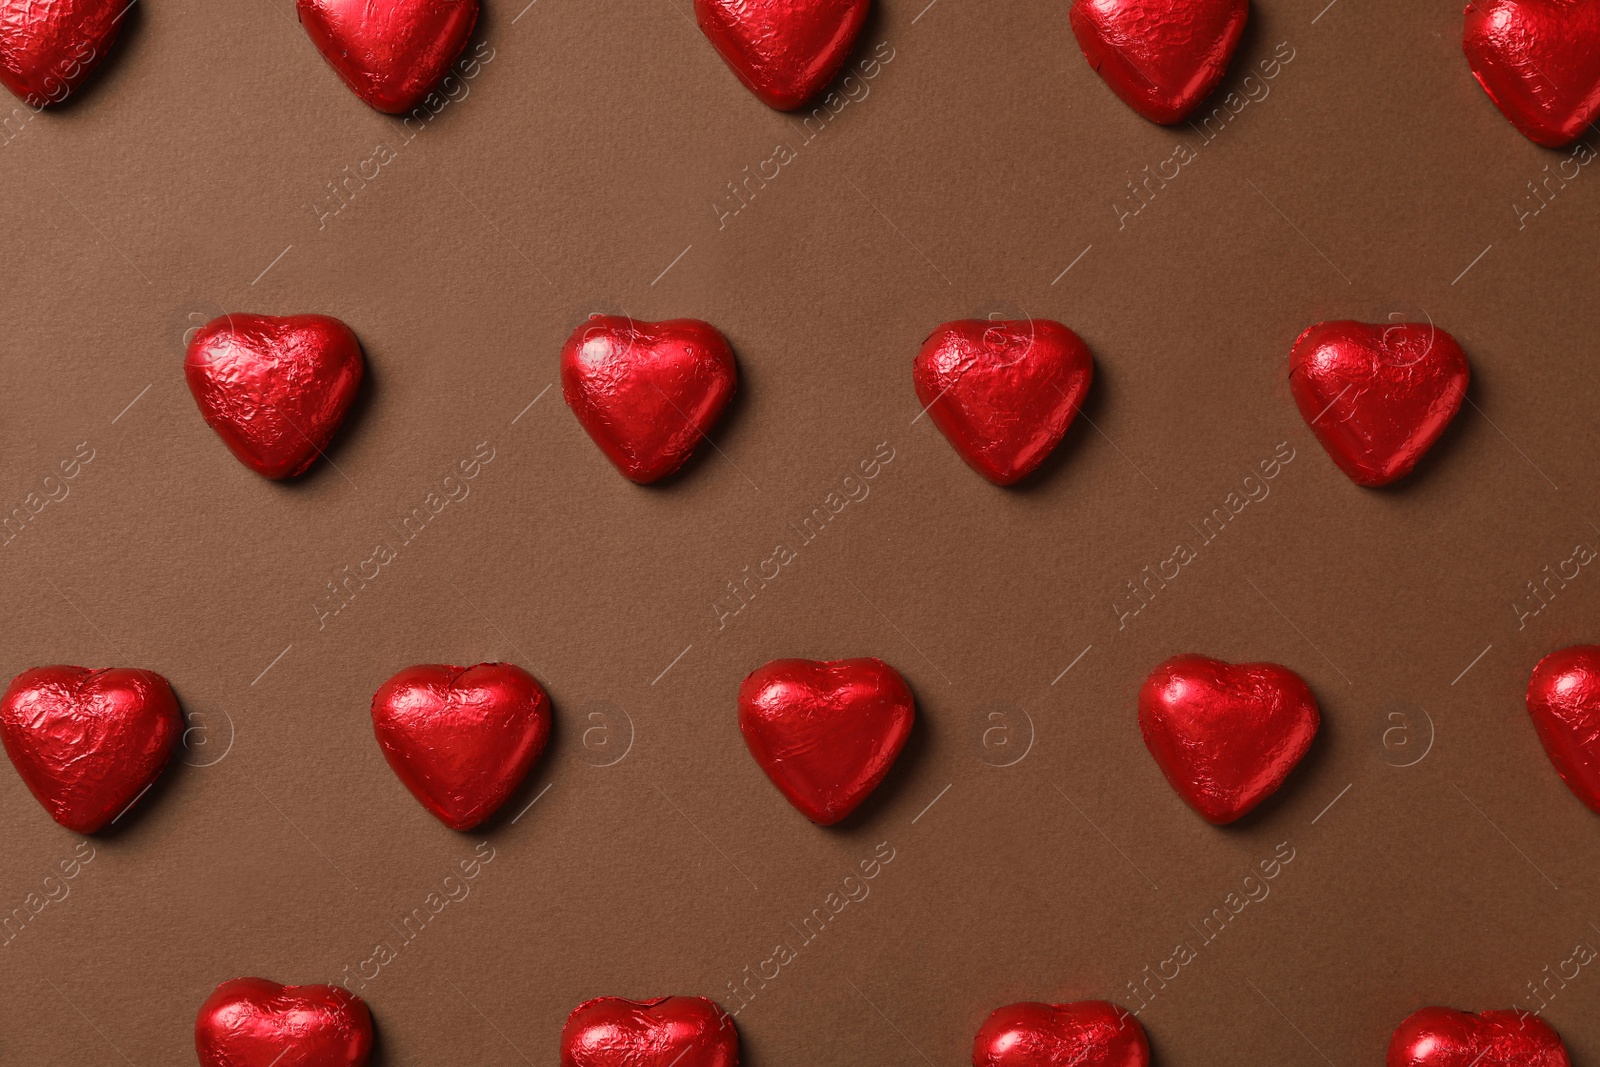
50	47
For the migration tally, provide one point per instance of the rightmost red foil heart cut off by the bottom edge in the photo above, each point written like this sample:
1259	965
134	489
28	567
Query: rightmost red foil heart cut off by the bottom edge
1444	1037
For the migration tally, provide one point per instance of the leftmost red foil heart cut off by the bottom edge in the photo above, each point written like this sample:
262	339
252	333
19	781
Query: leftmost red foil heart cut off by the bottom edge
255	1023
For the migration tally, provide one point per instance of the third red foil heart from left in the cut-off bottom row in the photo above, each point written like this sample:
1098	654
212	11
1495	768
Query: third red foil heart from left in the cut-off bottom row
1084	1034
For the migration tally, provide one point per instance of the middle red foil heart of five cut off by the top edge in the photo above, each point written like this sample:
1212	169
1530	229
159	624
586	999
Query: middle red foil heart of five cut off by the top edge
786	52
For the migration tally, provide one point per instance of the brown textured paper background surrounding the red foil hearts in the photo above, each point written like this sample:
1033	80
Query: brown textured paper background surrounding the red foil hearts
983	161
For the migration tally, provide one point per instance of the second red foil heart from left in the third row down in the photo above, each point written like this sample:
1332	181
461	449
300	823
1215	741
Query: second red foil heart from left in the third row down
462	738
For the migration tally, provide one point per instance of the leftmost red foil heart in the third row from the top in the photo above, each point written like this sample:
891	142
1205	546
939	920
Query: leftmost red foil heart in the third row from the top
89	743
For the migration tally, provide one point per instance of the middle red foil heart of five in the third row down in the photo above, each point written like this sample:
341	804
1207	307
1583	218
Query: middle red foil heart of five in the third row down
826	732
